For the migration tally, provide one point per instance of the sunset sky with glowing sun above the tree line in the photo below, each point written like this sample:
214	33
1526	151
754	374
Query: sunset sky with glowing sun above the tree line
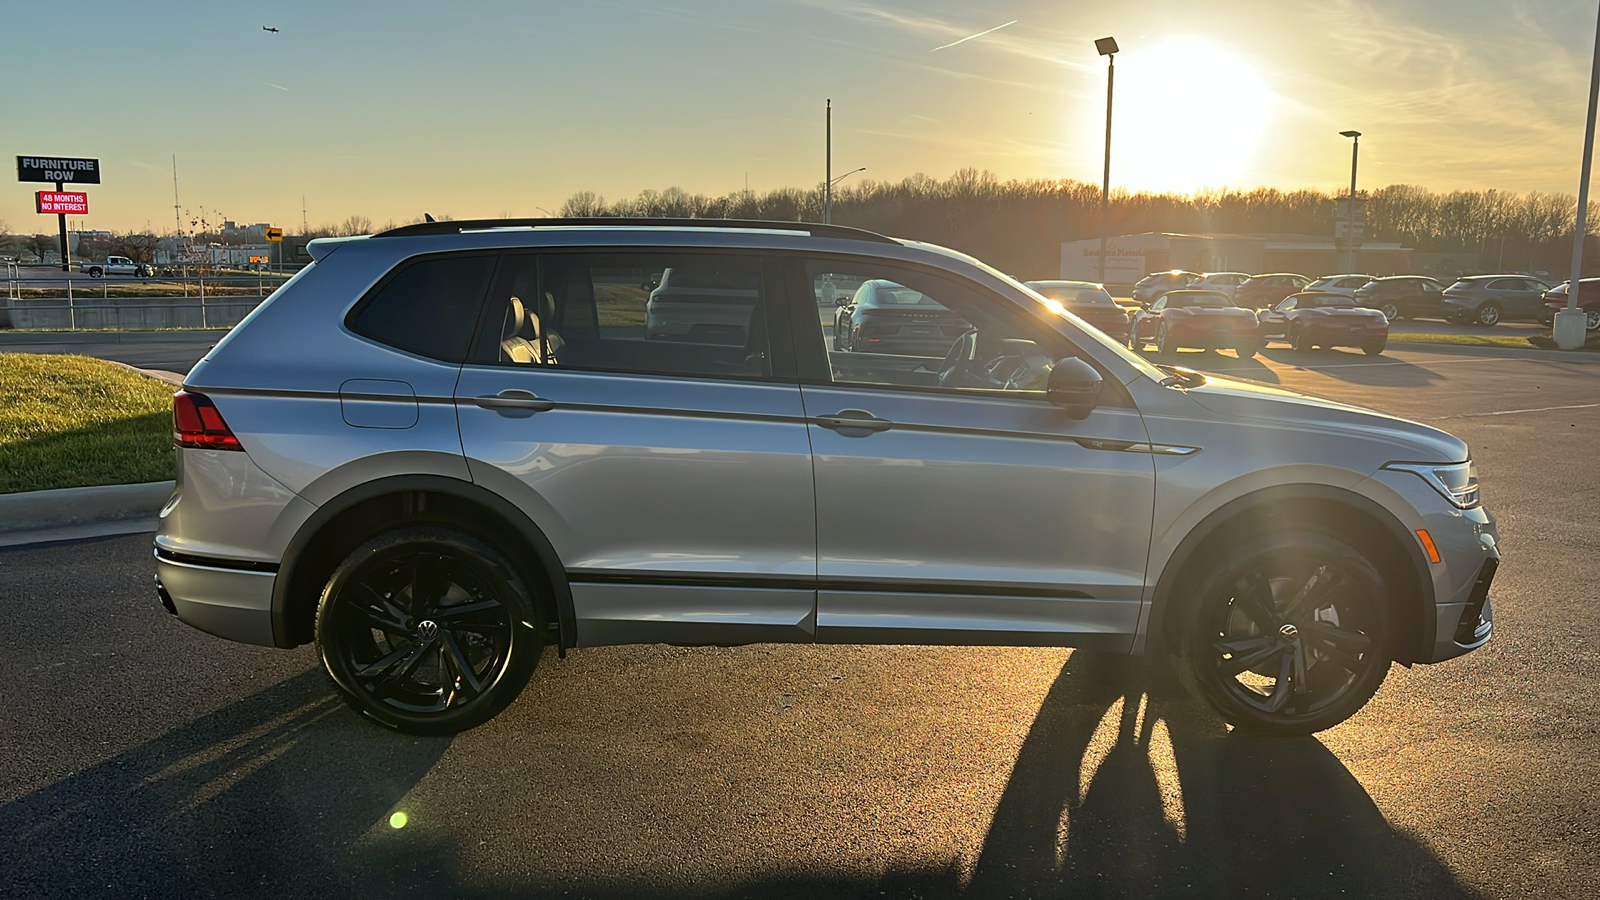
486	108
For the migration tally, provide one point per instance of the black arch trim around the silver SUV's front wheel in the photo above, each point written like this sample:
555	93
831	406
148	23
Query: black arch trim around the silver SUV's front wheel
1156	629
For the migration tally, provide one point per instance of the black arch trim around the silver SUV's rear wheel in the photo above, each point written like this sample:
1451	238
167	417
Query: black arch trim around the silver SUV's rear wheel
554	573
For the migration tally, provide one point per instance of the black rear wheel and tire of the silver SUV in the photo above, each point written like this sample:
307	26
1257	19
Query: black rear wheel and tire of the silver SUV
454	661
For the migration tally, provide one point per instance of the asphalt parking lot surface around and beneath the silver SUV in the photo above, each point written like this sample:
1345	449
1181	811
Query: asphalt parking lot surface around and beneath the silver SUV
148	760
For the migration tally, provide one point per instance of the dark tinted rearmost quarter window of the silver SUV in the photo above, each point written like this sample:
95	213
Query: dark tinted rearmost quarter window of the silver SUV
428	307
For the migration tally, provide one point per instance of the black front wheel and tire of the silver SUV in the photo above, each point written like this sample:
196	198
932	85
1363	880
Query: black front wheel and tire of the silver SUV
1287	635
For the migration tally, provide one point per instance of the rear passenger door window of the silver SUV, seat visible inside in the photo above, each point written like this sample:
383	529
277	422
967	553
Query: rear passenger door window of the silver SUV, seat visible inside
654	313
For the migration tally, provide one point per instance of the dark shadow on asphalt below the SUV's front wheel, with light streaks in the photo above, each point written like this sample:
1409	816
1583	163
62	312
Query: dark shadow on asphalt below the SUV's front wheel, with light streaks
1129	789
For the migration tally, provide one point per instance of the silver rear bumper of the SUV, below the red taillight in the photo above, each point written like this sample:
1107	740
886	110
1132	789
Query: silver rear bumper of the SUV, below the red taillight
218	598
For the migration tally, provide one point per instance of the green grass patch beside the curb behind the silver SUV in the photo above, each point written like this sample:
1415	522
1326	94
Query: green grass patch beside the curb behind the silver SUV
78	422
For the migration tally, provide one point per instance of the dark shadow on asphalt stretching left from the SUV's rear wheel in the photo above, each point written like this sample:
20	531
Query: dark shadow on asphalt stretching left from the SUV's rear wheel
270	795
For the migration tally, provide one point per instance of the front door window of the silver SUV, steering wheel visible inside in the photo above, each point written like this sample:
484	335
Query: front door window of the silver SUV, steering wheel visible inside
926	331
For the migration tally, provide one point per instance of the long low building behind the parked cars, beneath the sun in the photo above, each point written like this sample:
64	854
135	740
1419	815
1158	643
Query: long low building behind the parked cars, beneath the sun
1130	257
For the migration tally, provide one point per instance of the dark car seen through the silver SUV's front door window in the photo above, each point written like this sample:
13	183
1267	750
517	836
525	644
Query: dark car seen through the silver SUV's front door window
895	319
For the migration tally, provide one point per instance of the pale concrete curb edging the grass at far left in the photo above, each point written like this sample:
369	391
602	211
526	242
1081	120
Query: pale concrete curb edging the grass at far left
81	512
